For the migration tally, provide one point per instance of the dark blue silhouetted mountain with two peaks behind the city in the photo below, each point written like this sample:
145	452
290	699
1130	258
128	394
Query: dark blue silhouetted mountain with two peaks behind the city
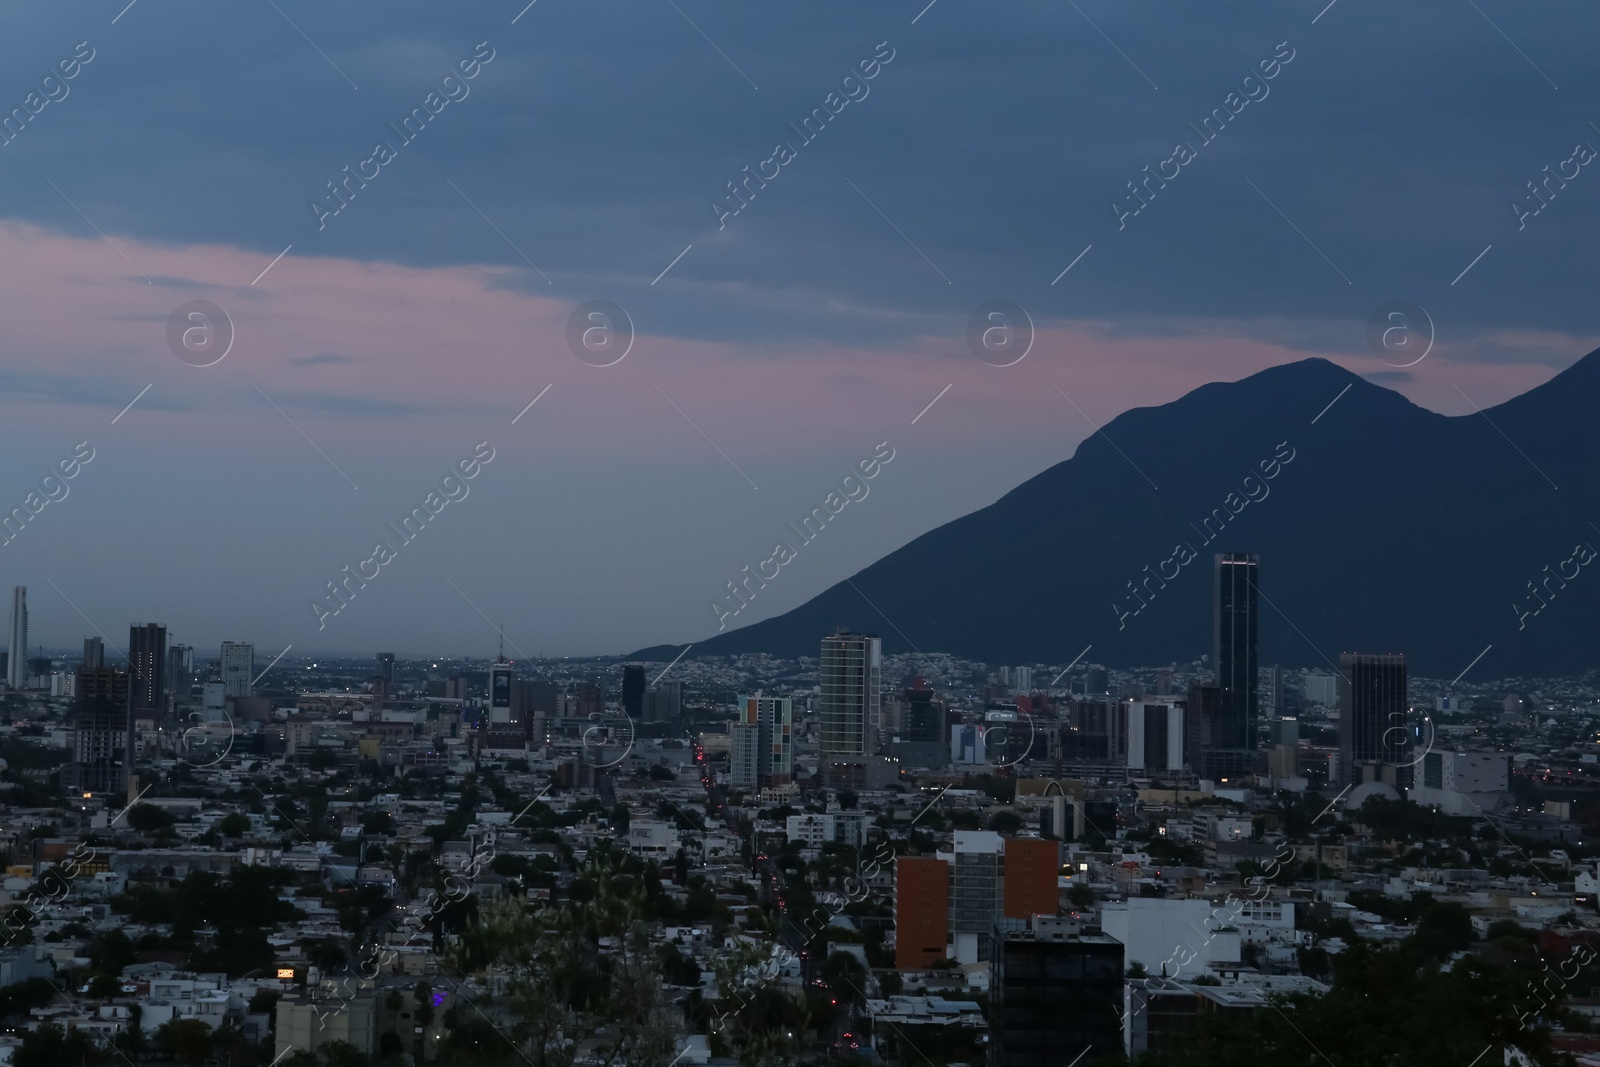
1385	527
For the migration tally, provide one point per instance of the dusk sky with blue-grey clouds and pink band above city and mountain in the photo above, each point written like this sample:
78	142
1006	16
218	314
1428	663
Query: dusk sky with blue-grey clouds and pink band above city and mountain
564	154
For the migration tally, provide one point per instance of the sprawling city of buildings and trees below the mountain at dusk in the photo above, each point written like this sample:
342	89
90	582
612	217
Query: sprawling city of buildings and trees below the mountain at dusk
842	858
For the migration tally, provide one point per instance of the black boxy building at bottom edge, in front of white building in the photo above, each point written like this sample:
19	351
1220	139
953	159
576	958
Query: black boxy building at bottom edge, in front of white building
1057	991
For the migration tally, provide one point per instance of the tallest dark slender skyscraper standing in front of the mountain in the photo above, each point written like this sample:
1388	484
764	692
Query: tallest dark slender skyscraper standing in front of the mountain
1234	657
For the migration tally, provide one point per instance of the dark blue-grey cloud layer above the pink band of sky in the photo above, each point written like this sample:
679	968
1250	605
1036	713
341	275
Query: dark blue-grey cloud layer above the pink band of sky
1388	153
